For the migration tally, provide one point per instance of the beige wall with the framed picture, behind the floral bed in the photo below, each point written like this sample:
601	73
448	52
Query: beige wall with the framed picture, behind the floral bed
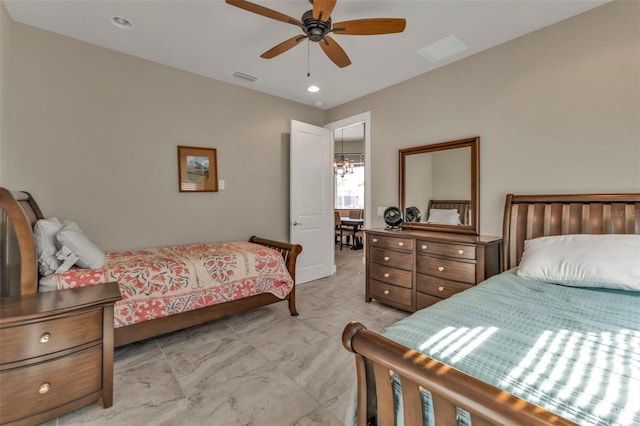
94	137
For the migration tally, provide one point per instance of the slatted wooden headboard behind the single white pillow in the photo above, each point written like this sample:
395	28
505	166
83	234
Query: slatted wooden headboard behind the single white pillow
531	216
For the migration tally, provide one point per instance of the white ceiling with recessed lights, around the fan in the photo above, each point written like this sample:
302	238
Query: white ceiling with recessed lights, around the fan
213	39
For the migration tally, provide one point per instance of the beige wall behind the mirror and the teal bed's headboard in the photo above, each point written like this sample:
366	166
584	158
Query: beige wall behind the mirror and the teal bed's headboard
557	111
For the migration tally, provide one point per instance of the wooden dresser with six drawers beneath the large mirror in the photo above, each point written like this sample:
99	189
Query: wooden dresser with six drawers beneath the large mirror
412	269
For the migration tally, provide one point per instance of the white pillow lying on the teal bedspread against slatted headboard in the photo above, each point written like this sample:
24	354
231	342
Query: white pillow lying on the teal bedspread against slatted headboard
586	260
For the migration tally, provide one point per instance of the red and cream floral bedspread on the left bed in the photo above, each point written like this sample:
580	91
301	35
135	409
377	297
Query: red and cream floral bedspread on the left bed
164	281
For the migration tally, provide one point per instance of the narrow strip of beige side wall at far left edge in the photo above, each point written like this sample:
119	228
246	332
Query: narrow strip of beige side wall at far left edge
6	26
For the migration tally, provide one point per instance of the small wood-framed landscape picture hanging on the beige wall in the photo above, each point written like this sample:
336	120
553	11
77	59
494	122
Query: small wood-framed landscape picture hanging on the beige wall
197	169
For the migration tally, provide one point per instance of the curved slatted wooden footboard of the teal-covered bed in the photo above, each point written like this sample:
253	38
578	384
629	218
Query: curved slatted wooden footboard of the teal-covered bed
378	359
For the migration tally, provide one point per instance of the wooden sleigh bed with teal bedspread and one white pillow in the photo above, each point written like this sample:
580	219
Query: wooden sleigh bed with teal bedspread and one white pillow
516	350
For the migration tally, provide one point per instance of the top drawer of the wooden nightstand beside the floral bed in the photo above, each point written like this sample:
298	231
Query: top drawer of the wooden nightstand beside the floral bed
45	337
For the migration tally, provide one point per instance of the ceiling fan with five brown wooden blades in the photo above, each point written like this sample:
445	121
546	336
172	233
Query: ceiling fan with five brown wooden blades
316	25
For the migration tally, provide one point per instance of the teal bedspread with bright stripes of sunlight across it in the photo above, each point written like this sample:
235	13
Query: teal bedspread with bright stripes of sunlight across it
573	351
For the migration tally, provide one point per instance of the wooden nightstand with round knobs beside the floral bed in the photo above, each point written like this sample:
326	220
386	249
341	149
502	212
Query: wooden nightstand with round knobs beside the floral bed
56	352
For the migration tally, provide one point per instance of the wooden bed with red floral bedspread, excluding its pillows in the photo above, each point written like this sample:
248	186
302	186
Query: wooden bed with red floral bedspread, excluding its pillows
163	289
